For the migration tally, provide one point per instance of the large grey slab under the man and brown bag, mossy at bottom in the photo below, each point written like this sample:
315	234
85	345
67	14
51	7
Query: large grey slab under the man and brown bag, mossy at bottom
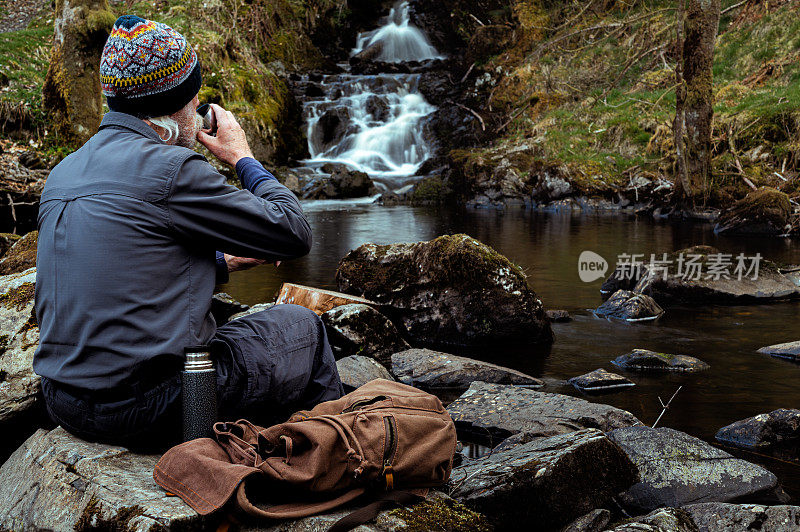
56	481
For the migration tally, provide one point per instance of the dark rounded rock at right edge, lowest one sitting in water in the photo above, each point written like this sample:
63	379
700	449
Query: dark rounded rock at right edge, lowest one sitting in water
778	428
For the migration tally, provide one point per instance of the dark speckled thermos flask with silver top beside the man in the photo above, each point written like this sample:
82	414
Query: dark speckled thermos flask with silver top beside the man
199	381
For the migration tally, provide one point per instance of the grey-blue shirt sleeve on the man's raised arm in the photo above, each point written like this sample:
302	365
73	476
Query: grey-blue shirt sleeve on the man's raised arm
267	223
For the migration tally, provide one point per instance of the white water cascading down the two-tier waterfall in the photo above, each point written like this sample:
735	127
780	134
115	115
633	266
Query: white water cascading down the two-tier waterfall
373	123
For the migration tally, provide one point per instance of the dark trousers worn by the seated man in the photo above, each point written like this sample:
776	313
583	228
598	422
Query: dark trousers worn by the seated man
269	364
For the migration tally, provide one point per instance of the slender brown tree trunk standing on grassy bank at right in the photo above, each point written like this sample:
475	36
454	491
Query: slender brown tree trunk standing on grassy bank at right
702	23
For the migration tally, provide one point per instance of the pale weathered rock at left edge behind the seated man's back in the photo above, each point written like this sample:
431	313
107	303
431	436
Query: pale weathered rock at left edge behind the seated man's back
19	337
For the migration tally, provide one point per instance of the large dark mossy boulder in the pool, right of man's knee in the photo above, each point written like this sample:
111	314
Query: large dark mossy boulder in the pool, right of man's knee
452	290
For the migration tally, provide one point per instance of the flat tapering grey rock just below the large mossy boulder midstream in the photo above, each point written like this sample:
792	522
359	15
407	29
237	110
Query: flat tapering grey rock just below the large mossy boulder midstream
428	369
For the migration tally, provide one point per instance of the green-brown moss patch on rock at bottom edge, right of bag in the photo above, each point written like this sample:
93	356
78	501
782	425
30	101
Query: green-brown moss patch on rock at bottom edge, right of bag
441	514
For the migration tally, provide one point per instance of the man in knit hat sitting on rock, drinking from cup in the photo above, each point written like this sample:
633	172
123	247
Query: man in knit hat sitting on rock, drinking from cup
135	229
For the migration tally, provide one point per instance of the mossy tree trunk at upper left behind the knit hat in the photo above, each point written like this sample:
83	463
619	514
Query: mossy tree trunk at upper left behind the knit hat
71	91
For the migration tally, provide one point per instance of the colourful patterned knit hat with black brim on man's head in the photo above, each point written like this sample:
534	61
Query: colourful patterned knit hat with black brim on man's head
148	69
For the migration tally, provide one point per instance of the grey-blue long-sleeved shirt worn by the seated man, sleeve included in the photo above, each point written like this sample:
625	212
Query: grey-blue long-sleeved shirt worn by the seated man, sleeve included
128	229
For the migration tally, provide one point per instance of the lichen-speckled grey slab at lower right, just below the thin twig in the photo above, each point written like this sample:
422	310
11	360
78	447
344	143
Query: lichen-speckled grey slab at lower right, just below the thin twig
678	469
